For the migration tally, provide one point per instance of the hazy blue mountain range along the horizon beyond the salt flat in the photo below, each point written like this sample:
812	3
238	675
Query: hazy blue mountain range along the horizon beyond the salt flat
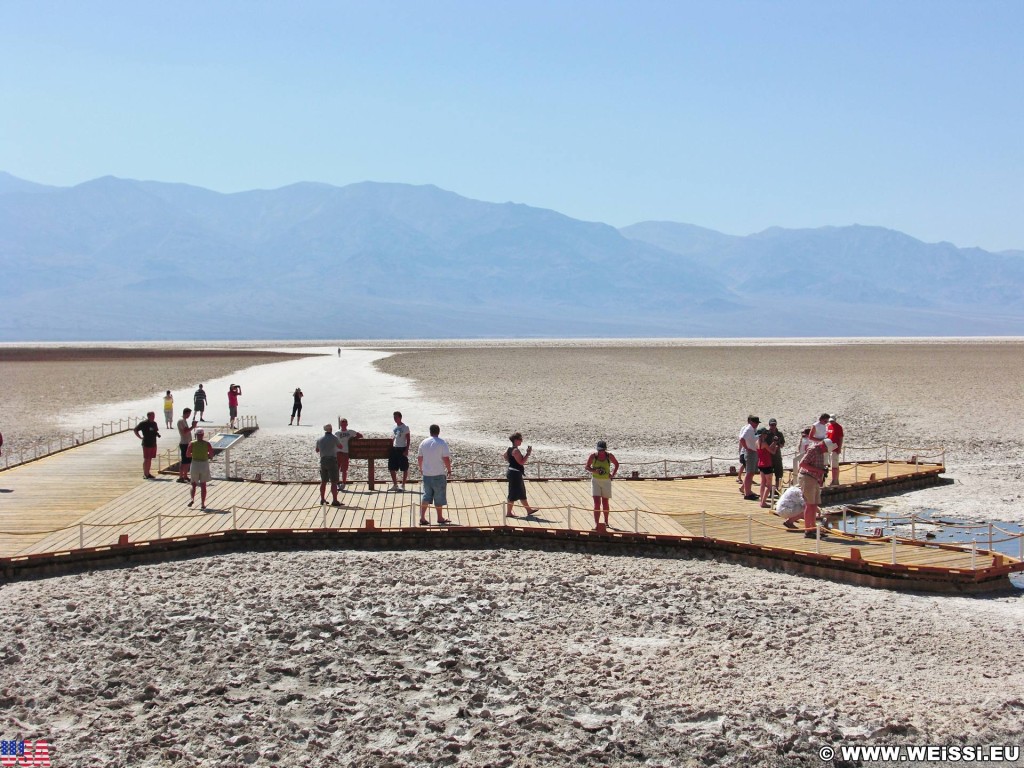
121	260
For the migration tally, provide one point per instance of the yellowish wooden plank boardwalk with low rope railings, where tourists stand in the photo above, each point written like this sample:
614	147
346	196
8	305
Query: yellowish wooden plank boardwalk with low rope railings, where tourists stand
95	497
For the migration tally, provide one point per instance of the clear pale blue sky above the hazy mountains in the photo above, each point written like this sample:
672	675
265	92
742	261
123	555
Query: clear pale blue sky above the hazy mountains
736	116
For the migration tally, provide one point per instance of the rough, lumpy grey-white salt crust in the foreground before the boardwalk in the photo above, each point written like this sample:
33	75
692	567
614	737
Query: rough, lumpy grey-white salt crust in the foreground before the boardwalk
494	658
